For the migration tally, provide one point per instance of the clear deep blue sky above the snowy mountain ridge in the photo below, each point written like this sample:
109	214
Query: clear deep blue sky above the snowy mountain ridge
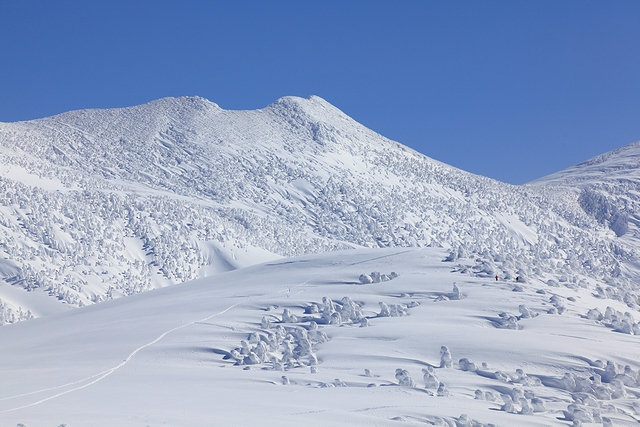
512	90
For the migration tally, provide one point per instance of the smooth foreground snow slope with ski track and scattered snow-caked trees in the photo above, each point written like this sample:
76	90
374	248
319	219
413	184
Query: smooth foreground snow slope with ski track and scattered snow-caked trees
175	357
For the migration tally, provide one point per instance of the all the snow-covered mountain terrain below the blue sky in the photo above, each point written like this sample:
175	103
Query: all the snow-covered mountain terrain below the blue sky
253	218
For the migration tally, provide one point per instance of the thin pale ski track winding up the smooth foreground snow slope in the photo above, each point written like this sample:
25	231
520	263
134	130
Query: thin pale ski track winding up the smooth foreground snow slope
102	375
